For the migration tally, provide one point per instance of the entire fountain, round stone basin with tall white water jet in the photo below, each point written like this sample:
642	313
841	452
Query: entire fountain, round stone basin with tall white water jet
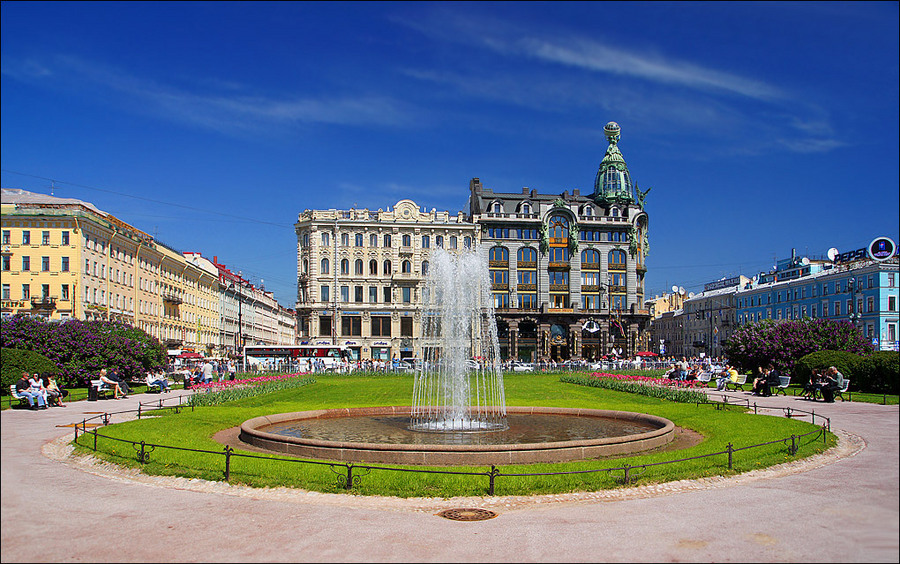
458	414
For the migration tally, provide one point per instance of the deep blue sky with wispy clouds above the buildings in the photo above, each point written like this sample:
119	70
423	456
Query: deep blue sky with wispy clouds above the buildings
760	127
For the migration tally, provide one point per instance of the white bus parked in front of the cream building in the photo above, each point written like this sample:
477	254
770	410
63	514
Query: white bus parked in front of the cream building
295	358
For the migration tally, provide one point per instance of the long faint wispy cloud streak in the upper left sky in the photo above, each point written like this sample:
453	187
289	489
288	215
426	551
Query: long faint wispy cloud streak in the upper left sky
229	108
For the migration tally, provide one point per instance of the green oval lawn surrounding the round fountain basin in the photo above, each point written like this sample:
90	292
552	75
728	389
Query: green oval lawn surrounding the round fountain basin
194	430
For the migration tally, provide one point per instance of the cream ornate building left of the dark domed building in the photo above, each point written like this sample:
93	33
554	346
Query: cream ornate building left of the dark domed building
361	273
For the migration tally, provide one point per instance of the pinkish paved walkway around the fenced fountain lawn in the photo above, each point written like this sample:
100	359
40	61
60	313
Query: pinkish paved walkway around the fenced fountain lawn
838	506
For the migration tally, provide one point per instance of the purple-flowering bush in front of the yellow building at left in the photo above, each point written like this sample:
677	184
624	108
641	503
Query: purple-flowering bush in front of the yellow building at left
79	349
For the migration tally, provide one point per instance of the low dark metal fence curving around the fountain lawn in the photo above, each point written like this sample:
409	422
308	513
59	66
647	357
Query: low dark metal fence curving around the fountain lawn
349	473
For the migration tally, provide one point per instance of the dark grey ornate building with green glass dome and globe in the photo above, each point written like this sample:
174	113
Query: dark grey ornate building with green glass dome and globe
567	270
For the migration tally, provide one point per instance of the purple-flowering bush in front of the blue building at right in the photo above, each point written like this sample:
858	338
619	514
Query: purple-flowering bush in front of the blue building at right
784	342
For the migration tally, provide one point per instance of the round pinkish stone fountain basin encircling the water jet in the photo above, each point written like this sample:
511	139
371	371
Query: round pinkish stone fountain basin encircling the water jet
635	432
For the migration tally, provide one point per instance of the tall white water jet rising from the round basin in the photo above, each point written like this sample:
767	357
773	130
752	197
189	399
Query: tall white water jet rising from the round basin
459	384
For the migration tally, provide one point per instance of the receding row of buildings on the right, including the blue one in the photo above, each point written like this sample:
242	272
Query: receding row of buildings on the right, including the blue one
860	286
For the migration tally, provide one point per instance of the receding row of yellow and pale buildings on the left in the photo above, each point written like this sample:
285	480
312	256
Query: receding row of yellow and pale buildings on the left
63	258
